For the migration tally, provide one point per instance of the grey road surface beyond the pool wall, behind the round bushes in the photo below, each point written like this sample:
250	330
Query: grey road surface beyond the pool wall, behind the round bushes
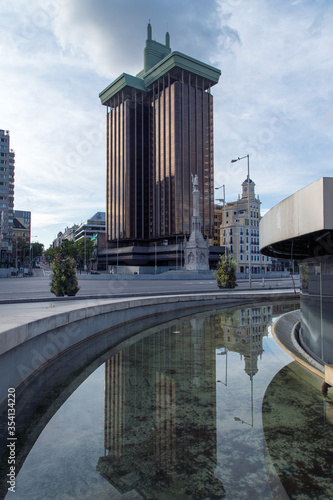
38	286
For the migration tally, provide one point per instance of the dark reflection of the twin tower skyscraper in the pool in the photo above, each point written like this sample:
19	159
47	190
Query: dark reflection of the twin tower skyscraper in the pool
160	414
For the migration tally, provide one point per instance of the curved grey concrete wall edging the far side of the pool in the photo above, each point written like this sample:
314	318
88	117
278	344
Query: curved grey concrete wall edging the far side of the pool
25	347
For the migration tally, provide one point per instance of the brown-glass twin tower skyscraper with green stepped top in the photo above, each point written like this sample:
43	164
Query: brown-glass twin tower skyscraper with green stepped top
159	132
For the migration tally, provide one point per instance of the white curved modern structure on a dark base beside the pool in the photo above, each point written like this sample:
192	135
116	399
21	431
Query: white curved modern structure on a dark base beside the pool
301	228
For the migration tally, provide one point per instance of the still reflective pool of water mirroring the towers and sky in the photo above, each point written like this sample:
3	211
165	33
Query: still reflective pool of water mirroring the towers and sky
203	407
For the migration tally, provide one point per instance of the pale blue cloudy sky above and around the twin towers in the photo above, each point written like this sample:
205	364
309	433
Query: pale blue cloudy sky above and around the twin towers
273	102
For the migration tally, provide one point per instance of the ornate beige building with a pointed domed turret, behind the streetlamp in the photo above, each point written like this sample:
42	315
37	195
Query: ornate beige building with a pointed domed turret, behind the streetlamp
241	239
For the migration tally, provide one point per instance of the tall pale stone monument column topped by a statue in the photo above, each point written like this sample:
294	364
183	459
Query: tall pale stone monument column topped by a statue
196	249
